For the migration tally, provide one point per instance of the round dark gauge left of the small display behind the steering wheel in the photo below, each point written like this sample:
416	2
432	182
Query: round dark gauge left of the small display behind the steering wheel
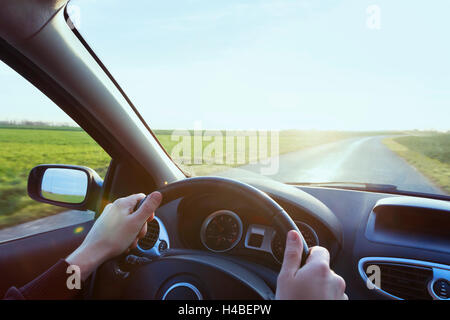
221	231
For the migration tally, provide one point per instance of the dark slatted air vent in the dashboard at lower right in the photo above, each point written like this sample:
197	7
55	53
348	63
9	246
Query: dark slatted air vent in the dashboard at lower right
404	281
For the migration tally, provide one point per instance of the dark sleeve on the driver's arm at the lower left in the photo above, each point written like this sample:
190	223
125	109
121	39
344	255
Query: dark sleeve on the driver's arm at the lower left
51	285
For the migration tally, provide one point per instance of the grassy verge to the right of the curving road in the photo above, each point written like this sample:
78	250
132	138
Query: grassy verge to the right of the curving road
430	154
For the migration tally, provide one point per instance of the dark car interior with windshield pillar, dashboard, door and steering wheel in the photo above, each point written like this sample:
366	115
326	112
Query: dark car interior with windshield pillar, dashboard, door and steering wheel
405	236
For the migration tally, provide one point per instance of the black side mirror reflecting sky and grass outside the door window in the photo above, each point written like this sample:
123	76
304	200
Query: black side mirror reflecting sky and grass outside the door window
73	187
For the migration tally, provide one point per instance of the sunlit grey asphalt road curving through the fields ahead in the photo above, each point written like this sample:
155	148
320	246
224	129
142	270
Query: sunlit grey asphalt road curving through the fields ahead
363	160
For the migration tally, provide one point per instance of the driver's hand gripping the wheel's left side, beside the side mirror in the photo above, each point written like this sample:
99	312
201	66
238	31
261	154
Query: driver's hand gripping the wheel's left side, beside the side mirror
116	230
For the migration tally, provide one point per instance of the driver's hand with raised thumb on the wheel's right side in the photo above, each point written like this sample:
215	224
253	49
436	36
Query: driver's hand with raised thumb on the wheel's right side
314	281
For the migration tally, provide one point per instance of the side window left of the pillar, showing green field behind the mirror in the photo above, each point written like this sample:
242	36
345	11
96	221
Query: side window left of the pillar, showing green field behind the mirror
33	131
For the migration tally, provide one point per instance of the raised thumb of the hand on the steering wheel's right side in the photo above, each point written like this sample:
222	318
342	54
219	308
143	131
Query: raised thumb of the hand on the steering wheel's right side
292	254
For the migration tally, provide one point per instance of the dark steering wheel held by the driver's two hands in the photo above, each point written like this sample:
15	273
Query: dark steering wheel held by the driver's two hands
195	274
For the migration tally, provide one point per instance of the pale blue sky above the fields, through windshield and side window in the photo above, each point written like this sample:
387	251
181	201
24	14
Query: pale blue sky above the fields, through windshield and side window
266	64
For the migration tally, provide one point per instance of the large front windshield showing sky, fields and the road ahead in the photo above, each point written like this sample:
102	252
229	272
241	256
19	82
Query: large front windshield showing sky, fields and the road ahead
296	91
